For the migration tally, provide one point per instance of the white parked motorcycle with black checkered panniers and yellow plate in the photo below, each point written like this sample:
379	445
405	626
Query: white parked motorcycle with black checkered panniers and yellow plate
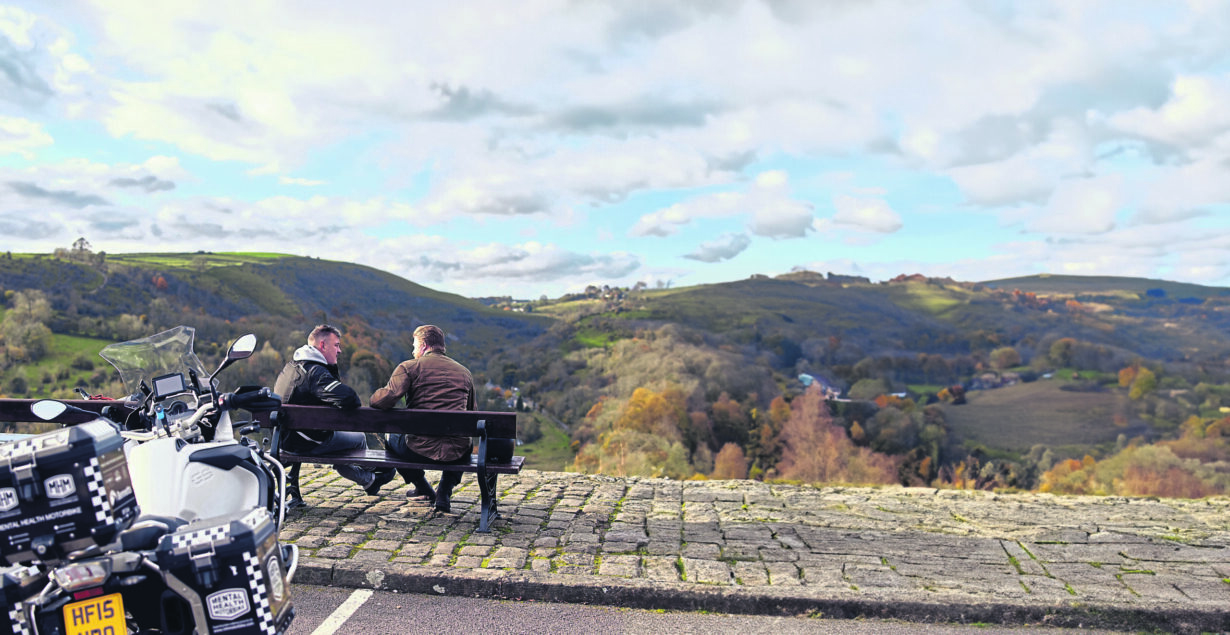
204	556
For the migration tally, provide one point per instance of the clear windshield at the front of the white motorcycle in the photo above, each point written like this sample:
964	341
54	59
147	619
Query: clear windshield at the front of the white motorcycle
156	356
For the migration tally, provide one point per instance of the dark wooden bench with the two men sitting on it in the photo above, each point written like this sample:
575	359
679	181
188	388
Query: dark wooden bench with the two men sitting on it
491	429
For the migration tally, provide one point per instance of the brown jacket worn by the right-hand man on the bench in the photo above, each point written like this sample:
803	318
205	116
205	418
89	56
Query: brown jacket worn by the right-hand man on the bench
432	382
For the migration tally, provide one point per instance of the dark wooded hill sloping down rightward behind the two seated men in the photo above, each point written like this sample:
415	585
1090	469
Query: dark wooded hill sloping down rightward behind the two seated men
279	296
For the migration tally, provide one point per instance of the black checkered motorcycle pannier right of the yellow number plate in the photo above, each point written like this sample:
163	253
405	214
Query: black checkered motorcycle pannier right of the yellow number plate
231	573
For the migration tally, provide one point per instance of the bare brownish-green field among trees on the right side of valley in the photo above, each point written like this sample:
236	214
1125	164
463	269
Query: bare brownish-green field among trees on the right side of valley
1020	417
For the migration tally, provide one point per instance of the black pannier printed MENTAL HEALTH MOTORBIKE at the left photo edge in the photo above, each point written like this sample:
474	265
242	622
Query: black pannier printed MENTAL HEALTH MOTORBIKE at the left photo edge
63	492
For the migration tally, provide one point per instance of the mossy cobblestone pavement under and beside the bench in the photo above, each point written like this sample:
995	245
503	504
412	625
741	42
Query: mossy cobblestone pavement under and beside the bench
747	547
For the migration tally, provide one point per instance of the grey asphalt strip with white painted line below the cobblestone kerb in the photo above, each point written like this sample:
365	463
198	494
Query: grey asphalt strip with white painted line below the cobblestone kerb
325	611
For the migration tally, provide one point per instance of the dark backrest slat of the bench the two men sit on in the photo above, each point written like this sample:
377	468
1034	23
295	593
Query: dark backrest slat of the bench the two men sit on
431	423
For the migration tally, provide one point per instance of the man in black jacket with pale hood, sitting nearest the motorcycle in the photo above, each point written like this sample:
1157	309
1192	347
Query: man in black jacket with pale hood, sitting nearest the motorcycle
312	380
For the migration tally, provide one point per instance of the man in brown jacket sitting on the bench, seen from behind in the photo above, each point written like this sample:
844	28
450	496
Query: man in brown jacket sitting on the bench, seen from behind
431	381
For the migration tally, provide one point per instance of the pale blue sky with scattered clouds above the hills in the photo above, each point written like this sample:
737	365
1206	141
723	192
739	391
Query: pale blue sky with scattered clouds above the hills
533	148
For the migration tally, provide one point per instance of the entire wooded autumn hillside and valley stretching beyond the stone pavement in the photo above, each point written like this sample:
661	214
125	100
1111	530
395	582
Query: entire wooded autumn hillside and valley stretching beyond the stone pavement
700	380
